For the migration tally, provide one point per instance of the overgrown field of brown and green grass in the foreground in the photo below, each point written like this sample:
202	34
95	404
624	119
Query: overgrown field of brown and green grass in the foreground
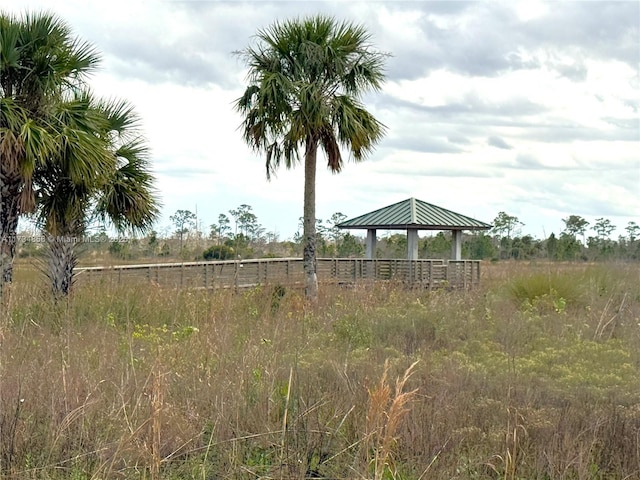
535	375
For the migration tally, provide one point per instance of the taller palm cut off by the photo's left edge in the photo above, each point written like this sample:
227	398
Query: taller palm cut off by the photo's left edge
39	62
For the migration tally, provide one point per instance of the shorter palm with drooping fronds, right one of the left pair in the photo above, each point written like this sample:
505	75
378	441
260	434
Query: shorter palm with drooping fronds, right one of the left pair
74	186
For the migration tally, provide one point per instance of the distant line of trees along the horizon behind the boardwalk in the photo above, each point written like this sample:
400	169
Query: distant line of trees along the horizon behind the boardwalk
239	234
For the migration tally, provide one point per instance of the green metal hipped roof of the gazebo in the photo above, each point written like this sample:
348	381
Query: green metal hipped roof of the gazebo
414	213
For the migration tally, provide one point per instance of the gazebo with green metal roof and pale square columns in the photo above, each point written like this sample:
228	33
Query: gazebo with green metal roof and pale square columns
413	215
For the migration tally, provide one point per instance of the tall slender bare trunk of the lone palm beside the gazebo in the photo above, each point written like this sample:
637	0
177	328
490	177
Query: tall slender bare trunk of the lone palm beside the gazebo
309	223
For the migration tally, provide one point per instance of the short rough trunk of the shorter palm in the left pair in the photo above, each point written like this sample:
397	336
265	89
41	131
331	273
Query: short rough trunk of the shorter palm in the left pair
62	260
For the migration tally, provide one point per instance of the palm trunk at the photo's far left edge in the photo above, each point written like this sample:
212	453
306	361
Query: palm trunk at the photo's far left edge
9	214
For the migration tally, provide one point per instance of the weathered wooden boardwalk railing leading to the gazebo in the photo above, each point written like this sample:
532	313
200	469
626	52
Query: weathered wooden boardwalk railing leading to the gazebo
288	271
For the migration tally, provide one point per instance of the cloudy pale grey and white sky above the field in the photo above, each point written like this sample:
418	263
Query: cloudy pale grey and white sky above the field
528	107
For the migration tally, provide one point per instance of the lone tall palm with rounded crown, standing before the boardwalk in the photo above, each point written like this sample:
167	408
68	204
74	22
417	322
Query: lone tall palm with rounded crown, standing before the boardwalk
306	79
